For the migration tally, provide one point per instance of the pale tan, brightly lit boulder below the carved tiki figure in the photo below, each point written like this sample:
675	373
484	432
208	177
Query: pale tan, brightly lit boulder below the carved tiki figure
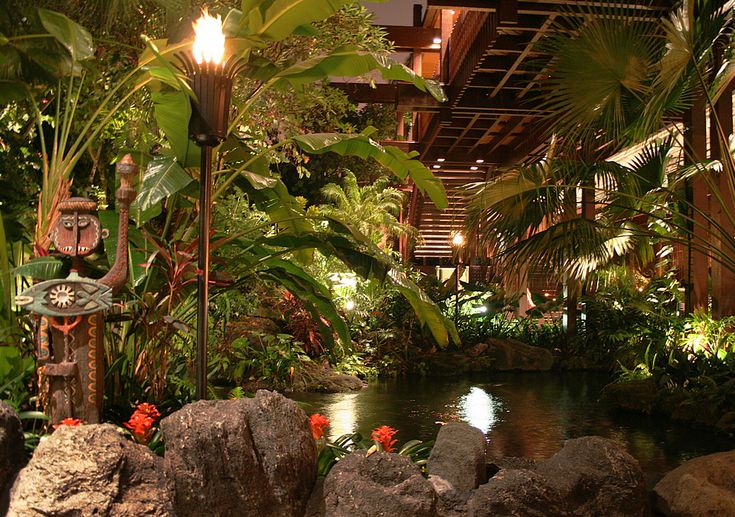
90	470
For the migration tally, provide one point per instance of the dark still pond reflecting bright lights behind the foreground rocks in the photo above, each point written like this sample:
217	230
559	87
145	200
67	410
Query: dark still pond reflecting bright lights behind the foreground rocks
522	414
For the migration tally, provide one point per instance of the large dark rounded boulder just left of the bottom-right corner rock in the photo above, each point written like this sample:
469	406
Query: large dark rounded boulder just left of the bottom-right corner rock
596	476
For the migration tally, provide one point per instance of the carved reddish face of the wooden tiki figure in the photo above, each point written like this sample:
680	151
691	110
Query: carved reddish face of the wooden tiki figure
77	232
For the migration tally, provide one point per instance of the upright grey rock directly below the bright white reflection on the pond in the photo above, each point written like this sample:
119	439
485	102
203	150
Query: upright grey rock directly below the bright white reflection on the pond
458	456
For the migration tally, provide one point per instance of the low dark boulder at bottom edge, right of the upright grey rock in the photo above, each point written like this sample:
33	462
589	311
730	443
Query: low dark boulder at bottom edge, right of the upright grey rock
516	493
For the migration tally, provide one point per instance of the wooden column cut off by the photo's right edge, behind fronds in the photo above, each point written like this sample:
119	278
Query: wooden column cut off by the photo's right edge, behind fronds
723	279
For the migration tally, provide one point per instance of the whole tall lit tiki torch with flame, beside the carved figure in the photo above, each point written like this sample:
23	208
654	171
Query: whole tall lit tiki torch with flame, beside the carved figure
210	78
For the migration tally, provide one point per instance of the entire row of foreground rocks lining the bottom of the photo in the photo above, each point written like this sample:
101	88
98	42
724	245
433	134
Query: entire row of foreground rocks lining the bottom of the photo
257	457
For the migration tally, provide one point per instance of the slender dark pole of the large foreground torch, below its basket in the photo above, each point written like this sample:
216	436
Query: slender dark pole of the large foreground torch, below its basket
205	202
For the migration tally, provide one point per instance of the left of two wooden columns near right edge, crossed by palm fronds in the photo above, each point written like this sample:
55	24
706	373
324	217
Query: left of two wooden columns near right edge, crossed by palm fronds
697	278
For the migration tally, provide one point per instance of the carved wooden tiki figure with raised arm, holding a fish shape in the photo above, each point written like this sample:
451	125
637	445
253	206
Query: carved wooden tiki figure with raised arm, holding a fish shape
70	334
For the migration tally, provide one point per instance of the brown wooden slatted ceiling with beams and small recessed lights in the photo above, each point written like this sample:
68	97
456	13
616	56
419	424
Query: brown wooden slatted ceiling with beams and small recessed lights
490	121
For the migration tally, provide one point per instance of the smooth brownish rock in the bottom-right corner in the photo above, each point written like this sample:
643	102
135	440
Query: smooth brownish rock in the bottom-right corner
702	486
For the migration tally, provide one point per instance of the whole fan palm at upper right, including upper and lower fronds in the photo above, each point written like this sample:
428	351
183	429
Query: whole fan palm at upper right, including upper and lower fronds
614	82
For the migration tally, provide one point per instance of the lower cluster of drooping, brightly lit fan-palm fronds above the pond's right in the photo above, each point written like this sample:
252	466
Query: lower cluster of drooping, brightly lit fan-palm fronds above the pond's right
529	215
